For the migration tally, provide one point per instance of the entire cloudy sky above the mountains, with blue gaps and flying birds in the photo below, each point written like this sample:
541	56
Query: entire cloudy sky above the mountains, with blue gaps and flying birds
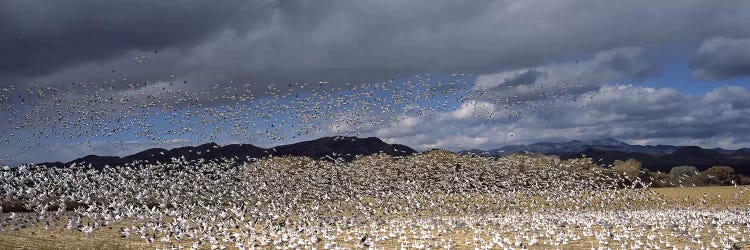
114	77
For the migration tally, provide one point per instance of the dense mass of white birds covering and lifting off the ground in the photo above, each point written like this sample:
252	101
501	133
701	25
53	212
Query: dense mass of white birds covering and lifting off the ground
427	201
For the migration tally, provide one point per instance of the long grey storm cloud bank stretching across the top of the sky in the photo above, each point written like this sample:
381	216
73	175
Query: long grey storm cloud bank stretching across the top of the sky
288	41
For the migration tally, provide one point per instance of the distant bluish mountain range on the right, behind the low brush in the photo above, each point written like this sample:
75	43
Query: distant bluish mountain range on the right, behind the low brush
655	158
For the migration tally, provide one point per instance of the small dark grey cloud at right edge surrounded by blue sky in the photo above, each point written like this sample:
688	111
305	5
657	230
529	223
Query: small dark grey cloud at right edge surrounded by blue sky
722	58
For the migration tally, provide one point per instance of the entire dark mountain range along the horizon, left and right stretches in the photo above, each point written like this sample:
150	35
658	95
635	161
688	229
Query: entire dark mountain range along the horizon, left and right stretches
603	151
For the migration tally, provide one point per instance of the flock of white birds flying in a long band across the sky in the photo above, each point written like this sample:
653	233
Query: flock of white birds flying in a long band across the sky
120	110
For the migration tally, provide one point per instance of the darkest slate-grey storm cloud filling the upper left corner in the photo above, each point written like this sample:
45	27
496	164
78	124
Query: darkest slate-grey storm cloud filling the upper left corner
42	36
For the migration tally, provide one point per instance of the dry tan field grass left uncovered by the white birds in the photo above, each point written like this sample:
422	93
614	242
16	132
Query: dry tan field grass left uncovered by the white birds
36	237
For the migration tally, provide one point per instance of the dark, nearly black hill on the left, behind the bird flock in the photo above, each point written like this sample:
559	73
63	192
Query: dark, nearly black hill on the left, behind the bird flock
323	148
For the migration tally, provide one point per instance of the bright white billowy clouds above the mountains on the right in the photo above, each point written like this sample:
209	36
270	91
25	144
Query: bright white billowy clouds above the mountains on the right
626	112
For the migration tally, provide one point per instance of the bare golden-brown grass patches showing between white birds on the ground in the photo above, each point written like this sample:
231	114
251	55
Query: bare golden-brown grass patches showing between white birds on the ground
108	237
